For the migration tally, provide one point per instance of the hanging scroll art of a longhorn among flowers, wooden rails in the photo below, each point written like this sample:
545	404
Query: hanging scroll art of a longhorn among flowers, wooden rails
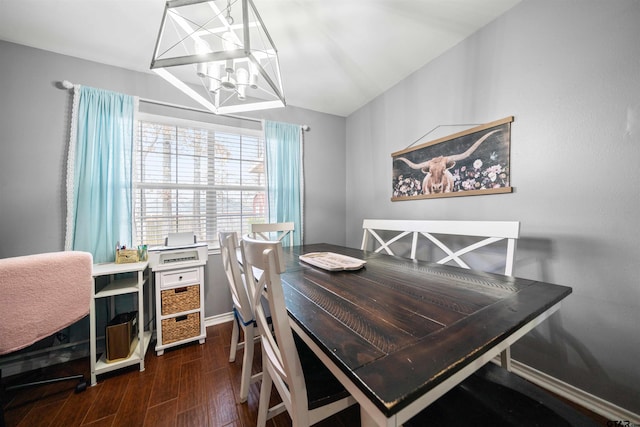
468	163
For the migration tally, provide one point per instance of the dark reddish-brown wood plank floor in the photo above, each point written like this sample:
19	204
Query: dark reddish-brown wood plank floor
191	385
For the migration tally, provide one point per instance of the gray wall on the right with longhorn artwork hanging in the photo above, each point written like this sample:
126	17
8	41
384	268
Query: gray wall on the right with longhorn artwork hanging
570	74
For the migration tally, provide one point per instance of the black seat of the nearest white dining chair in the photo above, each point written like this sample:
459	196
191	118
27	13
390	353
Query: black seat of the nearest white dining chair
322	387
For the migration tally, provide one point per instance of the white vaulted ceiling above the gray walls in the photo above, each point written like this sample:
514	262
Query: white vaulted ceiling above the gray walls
335	55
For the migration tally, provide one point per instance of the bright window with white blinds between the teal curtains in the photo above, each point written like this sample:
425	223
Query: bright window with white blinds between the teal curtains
193	176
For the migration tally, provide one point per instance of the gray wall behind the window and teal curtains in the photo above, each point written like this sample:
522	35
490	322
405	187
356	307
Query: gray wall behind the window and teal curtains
34	134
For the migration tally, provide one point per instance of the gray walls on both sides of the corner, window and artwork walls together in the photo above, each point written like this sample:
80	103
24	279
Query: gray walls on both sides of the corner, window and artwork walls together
570	74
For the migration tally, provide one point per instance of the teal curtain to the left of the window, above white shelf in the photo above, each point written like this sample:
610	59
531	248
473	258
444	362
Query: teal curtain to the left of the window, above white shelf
99	182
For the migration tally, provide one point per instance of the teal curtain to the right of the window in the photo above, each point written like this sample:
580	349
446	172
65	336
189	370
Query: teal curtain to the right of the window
285	175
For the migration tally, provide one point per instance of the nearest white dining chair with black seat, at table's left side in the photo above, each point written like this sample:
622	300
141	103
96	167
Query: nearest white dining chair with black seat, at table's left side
309	392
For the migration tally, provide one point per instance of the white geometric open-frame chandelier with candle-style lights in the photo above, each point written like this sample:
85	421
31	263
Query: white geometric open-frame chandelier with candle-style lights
220	54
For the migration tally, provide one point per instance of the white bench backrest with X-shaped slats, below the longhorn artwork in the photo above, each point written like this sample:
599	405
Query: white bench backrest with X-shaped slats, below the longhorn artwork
482	233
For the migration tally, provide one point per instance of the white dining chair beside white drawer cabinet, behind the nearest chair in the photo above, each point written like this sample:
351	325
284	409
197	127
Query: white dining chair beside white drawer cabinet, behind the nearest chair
243	312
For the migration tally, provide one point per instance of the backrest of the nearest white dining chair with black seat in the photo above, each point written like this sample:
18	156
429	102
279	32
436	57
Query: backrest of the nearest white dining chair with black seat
281	353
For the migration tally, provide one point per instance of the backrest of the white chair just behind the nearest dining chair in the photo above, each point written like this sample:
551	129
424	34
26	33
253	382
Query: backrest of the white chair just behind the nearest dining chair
240	293
